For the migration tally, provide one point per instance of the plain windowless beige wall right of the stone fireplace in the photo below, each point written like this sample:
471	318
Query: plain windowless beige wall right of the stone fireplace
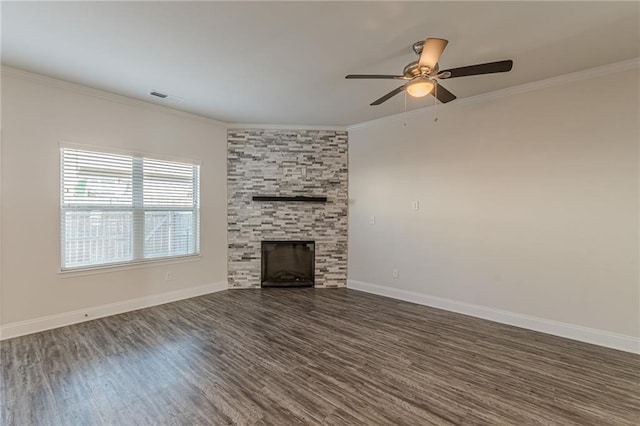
528	204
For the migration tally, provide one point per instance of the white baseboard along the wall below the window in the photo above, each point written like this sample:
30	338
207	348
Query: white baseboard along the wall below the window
21	328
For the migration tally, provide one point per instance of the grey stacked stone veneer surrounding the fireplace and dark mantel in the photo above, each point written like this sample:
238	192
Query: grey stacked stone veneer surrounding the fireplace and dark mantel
287	163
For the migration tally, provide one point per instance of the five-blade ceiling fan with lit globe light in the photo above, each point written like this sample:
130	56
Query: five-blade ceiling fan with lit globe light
422	76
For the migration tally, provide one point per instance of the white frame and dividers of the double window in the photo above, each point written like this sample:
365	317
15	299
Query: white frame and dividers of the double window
136	208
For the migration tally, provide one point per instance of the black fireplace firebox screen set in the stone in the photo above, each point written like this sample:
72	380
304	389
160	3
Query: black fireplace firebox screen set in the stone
288	263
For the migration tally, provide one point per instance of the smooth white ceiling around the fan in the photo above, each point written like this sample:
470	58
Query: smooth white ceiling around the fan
285	62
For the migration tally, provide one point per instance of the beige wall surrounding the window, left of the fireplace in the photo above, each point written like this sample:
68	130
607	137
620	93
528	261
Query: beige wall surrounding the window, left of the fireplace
37	114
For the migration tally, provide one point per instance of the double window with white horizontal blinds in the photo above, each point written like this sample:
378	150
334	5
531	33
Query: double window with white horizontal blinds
123	209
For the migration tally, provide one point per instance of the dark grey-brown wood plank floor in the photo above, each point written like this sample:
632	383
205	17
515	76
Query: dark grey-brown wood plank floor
311	357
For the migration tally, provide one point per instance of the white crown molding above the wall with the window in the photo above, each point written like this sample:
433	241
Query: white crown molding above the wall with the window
101	94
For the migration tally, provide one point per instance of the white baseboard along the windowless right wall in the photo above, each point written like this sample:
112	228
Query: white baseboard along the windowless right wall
570	331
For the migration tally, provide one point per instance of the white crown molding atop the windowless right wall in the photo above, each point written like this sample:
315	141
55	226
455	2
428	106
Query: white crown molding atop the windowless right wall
510	91
